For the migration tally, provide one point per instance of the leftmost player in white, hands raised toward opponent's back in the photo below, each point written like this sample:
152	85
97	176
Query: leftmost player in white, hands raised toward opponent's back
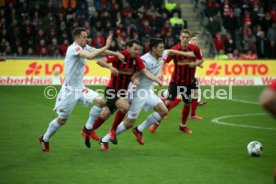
73	89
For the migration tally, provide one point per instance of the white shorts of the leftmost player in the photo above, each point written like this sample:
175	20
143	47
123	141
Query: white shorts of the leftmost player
67	100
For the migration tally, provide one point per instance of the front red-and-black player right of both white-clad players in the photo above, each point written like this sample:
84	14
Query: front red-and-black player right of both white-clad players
183	78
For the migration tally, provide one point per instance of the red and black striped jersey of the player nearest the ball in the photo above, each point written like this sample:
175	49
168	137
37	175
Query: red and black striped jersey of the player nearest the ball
182	73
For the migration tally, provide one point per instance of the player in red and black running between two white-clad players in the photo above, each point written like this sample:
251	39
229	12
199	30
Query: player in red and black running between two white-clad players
116	89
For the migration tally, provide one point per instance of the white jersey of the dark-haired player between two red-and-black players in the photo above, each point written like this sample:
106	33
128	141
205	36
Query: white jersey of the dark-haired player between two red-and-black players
153	65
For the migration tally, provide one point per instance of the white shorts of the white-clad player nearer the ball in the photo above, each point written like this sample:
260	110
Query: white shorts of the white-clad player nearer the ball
147	100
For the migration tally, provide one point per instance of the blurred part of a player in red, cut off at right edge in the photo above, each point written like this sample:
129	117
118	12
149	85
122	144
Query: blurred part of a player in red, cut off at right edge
268	98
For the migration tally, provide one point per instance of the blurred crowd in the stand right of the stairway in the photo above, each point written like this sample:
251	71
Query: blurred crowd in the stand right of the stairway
241	29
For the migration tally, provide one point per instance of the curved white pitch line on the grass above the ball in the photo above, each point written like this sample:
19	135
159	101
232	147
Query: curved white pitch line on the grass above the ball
217	121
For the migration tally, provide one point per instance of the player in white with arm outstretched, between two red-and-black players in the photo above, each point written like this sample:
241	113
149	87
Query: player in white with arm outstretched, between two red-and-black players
143	95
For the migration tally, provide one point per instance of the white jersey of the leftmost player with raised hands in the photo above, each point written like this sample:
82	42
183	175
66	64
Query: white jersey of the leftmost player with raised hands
74	66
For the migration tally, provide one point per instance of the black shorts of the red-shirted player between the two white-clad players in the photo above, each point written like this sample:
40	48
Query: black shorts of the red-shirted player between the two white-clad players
111	96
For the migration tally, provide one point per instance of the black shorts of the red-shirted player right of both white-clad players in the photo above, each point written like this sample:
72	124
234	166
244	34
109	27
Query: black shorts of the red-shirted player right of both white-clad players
183	90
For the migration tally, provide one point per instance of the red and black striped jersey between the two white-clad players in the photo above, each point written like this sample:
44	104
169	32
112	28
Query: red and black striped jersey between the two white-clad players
126	69
